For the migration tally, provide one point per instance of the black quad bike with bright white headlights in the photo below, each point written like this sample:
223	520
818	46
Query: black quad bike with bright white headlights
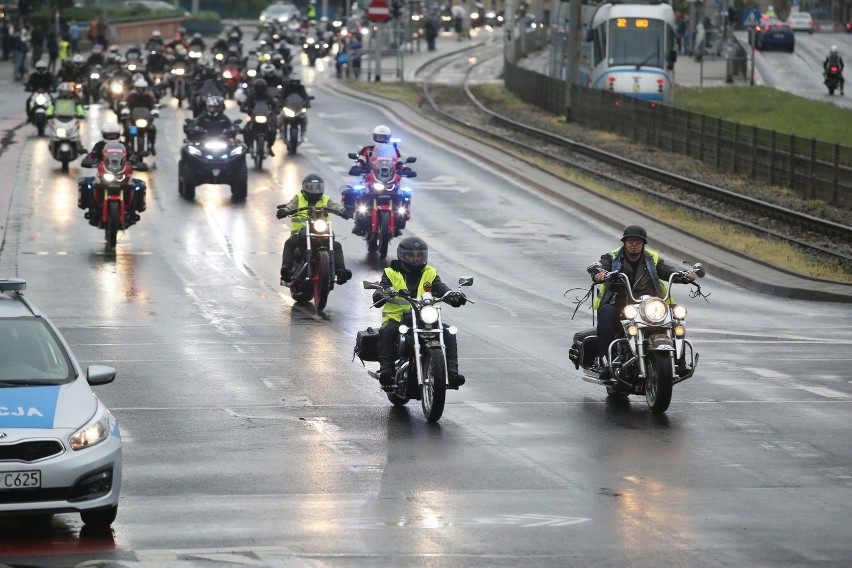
216	160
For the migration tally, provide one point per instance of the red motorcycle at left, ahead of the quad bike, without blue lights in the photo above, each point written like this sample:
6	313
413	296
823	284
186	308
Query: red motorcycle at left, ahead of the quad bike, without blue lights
112	198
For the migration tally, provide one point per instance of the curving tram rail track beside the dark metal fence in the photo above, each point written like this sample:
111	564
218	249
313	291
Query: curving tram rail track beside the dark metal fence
455	101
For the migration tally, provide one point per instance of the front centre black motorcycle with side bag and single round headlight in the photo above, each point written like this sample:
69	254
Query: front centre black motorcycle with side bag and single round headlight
421	365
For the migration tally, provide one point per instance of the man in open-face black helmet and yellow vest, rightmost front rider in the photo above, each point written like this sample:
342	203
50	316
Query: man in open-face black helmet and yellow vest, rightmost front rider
647	273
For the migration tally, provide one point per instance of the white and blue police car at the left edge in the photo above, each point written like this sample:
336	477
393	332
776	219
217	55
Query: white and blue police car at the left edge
60	447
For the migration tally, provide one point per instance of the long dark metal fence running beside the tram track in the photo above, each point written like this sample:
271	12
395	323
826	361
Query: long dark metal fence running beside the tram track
812	168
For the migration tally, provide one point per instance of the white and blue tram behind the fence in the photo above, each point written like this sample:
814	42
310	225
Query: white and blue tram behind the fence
631	49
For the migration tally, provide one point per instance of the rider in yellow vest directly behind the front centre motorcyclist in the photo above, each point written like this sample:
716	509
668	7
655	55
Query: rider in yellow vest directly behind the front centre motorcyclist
313	188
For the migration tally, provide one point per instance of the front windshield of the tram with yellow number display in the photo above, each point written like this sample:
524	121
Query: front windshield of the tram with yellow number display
637	41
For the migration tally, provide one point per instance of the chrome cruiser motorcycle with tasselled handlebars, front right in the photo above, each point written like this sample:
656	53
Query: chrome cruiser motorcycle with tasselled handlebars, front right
651	353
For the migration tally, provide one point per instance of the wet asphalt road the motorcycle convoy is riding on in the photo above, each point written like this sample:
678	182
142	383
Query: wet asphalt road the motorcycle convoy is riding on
252	438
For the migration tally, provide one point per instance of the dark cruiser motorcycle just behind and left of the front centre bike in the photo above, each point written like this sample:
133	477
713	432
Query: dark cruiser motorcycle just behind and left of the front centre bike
313	261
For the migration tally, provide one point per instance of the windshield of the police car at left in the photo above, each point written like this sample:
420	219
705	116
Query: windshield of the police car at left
30	353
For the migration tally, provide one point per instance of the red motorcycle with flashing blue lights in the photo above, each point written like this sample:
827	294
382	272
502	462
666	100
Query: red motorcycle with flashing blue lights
382	205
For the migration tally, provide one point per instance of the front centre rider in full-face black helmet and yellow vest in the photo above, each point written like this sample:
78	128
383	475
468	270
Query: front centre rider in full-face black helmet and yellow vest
411	272
